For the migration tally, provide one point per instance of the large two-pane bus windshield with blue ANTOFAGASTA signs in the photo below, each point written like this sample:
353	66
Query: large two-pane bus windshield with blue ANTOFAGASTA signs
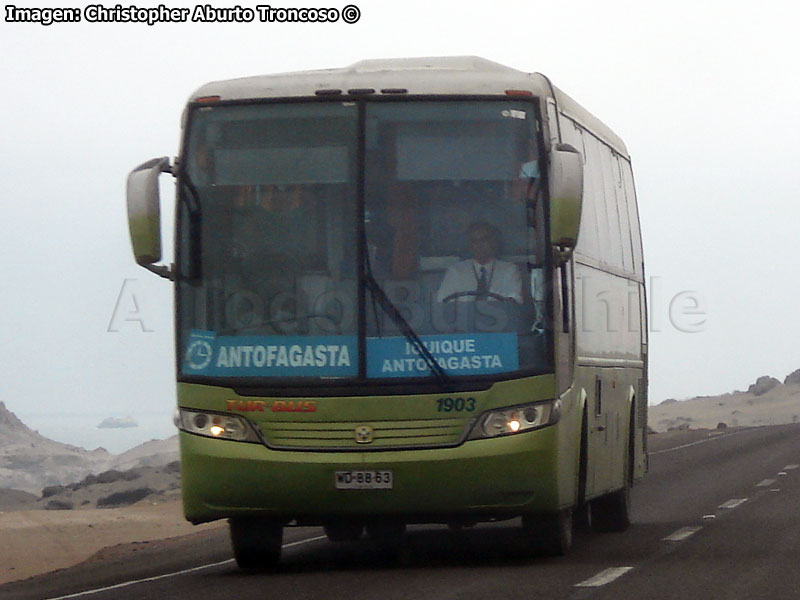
306	227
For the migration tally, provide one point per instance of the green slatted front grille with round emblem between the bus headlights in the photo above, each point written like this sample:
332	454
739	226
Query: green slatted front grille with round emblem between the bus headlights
386	435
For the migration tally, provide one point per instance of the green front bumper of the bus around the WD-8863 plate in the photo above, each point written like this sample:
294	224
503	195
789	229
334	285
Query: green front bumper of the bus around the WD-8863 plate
482	479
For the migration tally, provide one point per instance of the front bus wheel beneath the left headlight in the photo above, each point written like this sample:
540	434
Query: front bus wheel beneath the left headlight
256	542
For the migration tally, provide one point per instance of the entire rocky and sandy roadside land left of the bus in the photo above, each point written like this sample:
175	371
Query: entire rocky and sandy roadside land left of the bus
75	502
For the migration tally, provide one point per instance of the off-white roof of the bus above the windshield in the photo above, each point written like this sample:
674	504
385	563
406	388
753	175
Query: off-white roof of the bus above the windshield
457	75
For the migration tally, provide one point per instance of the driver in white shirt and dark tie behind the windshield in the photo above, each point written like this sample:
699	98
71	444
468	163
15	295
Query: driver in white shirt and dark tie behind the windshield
483	276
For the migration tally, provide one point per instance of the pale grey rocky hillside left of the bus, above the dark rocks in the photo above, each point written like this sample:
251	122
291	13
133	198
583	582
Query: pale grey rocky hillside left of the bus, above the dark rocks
31	462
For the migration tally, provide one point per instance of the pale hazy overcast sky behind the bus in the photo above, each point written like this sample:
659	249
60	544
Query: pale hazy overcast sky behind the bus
704	94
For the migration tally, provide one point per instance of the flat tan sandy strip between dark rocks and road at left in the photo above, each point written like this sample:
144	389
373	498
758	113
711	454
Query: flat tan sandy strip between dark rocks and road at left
38	541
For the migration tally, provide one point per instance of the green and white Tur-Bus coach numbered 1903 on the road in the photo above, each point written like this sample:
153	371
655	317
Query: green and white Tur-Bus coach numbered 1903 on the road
325	378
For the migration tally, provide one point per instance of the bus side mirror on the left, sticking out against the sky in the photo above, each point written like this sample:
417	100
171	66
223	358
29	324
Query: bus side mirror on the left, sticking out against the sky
144	215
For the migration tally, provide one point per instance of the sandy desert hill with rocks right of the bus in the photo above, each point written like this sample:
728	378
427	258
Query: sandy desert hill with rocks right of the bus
766	402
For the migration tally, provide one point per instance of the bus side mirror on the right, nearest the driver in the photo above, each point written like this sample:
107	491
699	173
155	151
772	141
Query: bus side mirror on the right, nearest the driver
566	198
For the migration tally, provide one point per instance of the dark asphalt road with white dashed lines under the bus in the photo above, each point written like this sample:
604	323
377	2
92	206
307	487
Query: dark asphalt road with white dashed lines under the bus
716	517
